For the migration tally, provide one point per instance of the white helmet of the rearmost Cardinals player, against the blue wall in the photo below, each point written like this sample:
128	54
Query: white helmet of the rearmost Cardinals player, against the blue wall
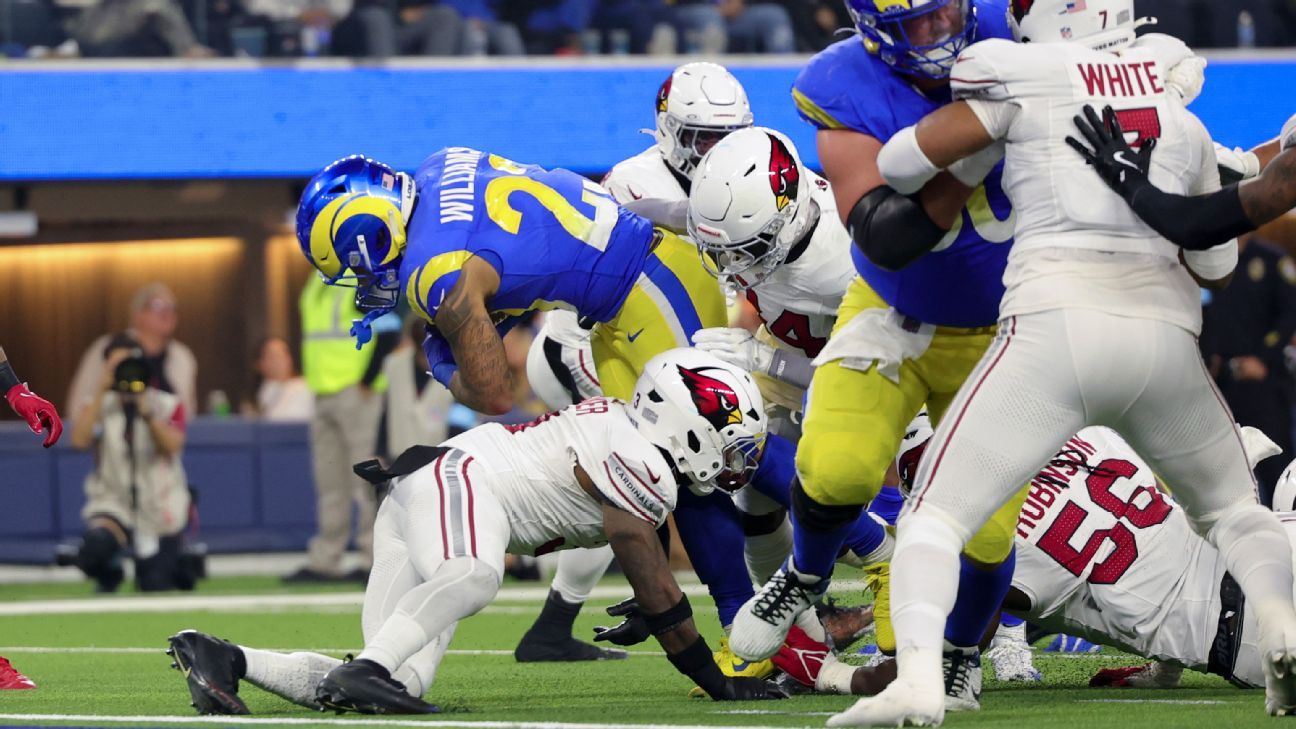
698	106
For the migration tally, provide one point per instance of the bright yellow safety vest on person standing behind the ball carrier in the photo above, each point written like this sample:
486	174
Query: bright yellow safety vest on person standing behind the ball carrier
330	361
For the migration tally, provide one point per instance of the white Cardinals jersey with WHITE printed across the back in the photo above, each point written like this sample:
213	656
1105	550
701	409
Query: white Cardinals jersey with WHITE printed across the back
1078	245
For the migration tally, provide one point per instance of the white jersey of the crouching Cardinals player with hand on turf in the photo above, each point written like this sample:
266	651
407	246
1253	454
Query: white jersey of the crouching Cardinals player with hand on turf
531	472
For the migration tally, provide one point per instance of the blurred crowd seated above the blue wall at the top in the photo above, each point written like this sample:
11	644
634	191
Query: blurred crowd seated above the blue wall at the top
382	29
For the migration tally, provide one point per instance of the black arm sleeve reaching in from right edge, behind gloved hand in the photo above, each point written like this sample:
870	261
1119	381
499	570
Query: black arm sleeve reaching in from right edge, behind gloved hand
1193	224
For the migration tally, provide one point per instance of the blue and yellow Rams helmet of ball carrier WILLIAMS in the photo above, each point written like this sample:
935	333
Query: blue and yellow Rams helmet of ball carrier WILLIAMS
352	228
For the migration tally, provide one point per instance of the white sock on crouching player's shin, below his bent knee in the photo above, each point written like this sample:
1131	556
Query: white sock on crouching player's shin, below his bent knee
457	590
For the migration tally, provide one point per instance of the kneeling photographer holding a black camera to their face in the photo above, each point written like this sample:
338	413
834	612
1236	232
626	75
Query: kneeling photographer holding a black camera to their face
138	495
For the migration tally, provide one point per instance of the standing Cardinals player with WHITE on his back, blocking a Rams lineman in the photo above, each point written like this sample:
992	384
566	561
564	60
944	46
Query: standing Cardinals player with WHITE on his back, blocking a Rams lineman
1084	272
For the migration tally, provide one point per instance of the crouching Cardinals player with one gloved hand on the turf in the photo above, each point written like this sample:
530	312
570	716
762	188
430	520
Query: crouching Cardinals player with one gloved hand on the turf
602	472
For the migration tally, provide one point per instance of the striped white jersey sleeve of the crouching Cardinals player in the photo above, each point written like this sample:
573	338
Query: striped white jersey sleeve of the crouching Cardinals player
637	479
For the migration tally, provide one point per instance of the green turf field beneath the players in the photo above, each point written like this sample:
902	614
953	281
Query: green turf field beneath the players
100	663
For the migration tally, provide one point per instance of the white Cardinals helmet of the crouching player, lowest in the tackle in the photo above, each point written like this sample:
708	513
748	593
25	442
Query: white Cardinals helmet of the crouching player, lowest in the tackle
706	413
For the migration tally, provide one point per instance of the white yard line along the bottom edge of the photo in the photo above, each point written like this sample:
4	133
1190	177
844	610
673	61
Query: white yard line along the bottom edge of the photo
357	722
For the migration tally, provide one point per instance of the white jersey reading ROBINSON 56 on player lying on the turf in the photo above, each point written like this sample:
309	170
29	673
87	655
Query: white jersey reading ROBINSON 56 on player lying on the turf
1105	555
